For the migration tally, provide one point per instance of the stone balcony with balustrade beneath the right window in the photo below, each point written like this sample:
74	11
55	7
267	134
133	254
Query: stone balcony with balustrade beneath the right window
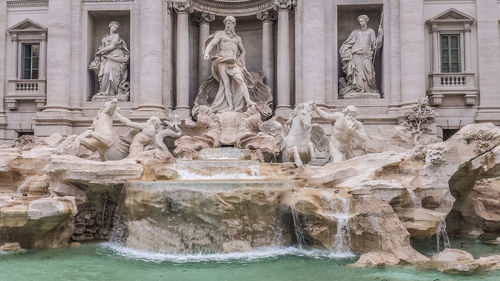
446	84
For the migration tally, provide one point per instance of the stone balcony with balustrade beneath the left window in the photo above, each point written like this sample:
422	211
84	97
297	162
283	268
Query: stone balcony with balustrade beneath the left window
27	90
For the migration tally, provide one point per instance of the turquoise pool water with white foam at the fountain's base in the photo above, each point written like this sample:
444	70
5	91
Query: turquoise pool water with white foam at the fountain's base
112	262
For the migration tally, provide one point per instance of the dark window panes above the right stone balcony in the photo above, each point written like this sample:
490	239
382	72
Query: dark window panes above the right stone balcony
450	53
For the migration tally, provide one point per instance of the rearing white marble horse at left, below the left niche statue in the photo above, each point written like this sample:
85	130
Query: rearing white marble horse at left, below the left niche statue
99	137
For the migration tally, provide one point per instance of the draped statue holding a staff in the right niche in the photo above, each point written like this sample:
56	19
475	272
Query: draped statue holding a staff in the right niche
357	55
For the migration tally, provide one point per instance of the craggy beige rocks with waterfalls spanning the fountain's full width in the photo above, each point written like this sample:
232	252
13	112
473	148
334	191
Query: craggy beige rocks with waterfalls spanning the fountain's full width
372	203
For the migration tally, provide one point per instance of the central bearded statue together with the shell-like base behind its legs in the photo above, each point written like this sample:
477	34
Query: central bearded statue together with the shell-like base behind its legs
232	88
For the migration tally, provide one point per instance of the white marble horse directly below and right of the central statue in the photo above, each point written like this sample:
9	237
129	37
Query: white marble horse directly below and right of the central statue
298	146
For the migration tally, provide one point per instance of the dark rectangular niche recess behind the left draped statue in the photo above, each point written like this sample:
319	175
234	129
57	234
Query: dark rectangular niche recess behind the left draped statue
98	27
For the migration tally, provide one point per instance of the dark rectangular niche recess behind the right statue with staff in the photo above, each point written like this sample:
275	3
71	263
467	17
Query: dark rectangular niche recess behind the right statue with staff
347	22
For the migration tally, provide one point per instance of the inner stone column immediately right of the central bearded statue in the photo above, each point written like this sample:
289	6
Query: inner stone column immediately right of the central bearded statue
267	18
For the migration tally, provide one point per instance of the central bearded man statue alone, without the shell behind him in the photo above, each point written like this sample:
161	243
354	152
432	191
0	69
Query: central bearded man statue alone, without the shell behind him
228	68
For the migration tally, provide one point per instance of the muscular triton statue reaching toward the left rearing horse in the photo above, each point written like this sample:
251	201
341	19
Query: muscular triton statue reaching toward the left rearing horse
144	136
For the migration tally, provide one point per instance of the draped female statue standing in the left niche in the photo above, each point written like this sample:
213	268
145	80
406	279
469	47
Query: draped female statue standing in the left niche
110	65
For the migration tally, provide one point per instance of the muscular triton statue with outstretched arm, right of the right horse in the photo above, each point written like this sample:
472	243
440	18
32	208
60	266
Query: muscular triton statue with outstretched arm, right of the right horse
347	131
